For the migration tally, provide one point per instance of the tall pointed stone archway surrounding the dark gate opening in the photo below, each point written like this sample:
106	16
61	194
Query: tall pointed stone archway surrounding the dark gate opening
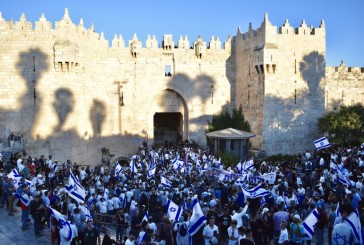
168	117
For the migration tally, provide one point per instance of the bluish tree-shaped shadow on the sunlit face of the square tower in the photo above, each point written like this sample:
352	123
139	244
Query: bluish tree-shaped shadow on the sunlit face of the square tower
300	111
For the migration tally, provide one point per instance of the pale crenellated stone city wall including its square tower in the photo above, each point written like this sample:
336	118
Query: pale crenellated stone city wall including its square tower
71	94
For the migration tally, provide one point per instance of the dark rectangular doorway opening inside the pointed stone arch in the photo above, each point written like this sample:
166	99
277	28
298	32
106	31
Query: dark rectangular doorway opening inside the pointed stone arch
167	127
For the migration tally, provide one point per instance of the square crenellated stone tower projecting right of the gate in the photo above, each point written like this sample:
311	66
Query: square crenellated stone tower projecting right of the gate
280	79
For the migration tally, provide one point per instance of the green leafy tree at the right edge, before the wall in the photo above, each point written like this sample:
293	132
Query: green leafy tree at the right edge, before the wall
345	126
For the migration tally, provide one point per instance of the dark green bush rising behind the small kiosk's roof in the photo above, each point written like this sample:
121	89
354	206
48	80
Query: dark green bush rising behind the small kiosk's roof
226	119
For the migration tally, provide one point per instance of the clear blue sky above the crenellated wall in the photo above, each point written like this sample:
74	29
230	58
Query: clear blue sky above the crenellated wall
344	19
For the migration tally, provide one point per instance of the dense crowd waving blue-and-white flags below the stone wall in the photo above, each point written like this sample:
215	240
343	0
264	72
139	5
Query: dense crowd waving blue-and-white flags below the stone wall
133	200
